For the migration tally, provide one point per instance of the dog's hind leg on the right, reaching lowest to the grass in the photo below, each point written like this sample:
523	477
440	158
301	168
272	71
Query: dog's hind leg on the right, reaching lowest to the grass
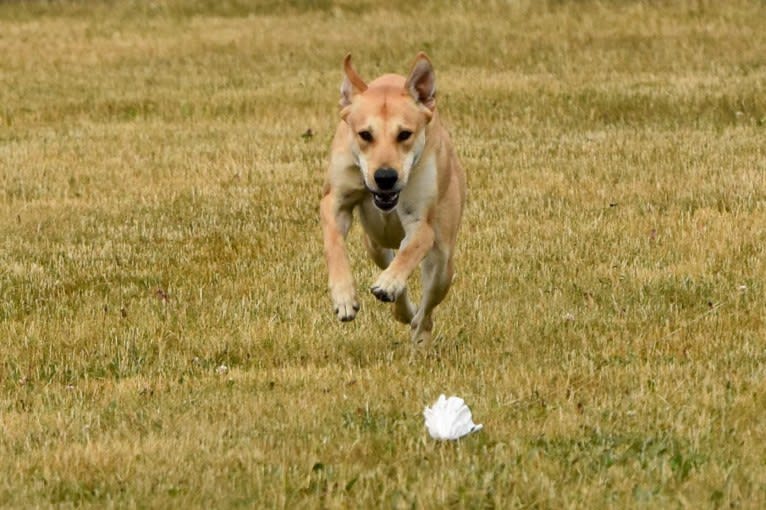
437	271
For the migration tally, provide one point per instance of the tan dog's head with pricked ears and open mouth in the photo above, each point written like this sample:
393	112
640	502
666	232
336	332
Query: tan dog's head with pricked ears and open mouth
388	119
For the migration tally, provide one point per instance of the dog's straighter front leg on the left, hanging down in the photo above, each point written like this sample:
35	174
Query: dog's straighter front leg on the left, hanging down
336	222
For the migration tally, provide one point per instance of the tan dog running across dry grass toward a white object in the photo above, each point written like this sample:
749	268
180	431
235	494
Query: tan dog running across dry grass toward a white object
393	162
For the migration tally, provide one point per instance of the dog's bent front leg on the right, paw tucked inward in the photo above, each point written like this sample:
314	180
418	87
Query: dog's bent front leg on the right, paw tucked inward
419	238
